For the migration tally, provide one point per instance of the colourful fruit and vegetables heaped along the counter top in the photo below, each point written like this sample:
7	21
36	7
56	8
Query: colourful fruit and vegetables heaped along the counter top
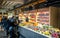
43	29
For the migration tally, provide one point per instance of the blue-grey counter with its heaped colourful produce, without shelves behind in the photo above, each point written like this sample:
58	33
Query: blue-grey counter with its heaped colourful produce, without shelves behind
30	30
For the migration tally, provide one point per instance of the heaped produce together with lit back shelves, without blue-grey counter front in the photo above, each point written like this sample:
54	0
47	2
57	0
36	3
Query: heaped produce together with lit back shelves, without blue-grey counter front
39	21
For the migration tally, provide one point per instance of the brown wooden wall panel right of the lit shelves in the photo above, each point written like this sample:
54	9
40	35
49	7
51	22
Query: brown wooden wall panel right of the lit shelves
55	16
